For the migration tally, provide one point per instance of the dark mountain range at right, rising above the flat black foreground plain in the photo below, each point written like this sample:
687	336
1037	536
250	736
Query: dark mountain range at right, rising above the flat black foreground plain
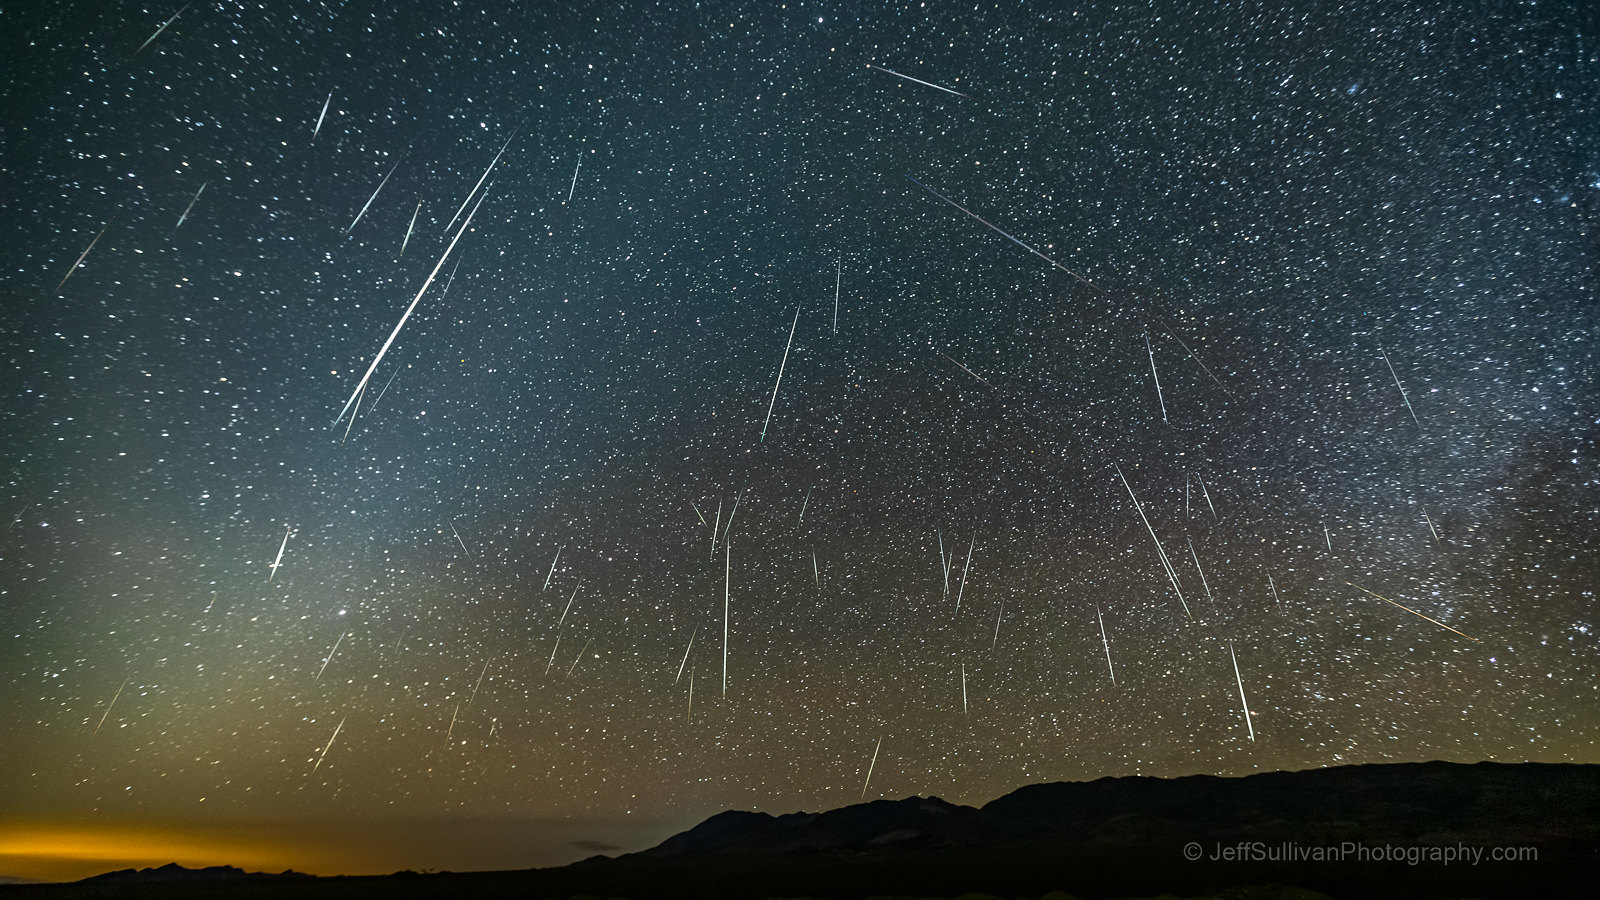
1433	803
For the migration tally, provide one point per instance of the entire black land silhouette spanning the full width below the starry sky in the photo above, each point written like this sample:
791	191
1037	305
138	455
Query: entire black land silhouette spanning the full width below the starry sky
1108	838
